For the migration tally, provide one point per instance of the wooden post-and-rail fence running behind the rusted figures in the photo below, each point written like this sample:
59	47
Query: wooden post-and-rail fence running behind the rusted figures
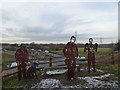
45	64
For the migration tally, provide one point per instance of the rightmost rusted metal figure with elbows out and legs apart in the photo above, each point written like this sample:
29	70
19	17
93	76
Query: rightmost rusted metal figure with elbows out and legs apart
91	48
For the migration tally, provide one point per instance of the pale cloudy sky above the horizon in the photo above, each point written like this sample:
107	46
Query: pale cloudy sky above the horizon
56	22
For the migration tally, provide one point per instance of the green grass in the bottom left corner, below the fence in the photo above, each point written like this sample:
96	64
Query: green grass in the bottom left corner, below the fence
12	81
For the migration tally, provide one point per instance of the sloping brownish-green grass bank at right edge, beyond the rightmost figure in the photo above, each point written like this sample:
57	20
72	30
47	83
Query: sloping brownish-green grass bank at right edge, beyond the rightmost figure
110	64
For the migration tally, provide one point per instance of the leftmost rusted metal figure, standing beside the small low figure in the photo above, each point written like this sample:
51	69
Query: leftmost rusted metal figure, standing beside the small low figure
21	57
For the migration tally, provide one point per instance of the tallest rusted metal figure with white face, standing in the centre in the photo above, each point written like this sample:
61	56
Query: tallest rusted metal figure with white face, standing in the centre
70	51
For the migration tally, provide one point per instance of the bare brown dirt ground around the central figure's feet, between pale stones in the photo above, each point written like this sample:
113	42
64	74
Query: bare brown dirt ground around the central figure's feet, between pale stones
63	77
